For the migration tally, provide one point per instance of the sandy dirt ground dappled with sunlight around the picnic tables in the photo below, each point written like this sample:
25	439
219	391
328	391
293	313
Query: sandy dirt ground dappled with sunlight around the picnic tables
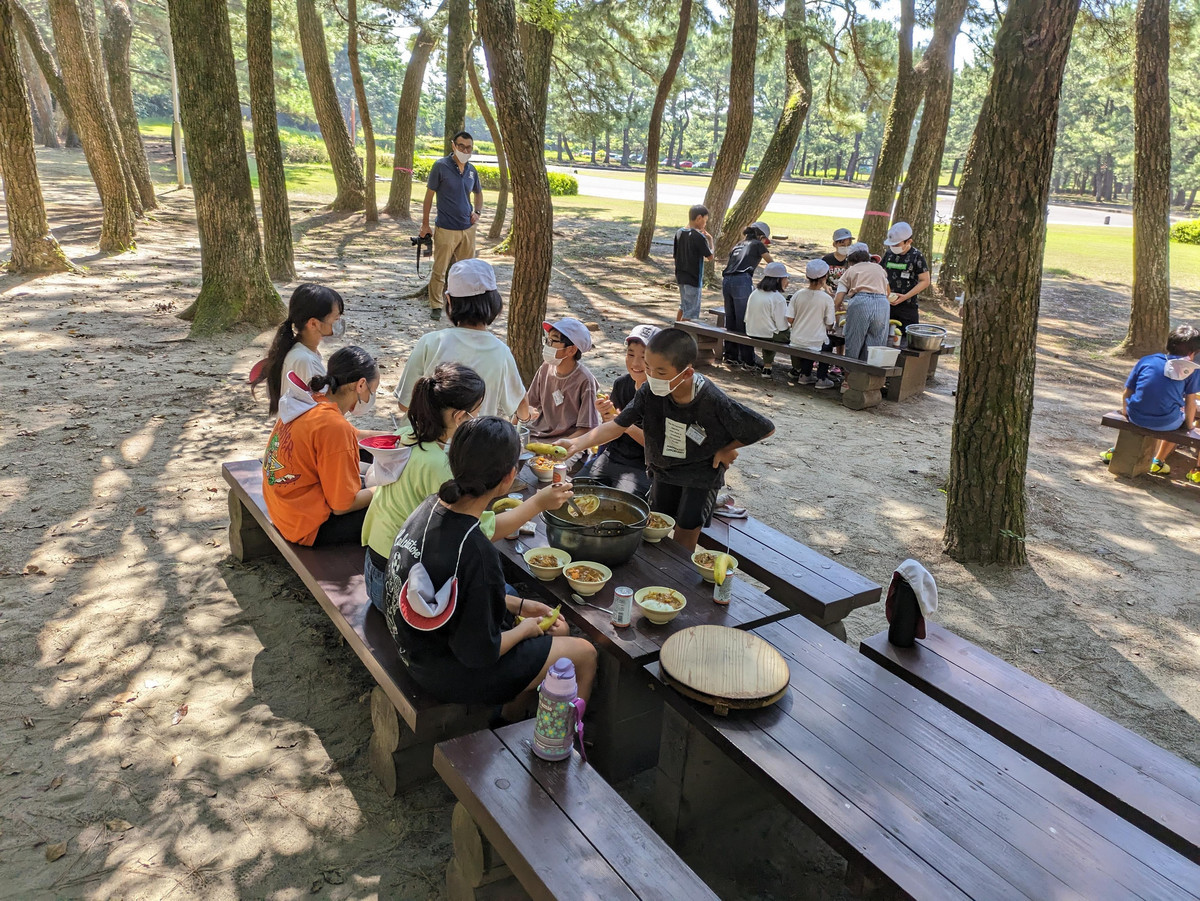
178	725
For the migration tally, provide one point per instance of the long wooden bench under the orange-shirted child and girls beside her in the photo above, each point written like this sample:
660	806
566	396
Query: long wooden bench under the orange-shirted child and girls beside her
406	720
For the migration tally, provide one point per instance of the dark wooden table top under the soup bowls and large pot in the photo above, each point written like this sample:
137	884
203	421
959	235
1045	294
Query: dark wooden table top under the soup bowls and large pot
664	564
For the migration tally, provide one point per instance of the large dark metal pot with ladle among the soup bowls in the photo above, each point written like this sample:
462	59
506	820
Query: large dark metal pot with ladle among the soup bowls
610	536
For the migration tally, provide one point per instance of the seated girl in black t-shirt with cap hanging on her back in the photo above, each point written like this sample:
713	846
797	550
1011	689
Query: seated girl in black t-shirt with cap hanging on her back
446	600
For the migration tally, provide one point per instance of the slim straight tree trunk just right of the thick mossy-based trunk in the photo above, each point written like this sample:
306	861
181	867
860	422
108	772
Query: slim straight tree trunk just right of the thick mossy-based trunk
273	188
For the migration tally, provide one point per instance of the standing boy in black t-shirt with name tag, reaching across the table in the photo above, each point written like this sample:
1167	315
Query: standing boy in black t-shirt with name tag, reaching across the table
693	434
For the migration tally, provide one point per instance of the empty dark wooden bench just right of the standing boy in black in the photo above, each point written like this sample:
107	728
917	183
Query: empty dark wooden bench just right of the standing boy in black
797	576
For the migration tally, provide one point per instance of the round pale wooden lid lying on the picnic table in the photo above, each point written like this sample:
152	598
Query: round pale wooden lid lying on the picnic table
724	663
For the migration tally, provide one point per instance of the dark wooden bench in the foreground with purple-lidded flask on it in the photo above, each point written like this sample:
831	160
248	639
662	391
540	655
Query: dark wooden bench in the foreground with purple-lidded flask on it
557	828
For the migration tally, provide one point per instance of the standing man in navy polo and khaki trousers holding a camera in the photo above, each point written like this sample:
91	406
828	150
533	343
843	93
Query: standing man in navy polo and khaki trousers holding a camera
457	184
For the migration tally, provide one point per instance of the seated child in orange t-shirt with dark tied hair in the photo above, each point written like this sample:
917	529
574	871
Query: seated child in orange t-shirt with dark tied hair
311	471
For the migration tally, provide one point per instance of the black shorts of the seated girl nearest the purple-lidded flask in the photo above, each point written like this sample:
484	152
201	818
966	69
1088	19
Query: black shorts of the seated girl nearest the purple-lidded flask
453	683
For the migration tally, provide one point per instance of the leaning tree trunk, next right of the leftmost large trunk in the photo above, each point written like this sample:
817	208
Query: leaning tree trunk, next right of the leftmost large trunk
100	142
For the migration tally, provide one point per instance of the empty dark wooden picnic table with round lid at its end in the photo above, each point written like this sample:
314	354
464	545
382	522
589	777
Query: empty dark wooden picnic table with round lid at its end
916	798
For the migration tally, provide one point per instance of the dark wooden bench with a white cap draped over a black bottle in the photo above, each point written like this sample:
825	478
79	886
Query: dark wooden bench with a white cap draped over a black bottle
1132	777
